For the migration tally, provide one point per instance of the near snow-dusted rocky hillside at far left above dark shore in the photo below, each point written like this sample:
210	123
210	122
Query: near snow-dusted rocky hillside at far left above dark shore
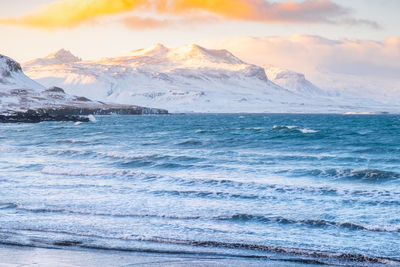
19	94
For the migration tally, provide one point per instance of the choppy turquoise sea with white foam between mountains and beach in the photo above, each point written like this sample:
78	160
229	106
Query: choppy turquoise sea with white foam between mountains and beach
303	188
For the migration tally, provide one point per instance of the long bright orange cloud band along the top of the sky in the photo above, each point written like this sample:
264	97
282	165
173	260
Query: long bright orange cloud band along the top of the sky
71	13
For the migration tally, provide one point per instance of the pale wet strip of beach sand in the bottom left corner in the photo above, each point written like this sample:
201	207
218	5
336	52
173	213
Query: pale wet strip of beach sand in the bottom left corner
13	256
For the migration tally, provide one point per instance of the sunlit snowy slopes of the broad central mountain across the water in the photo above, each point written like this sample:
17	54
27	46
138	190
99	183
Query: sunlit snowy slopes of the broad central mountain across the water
188	79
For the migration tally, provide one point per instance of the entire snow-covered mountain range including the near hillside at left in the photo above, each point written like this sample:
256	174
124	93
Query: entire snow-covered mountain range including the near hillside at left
190	78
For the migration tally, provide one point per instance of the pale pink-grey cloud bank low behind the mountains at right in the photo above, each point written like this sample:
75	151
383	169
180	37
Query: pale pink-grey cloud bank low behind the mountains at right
349	67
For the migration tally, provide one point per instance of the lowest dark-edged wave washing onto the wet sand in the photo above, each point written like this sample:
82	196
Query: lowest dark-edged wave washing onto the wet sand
282	253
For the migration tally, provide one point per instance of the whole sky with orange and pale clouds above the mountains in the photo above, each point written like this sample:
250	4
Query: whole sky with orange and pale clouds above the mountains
101	28
